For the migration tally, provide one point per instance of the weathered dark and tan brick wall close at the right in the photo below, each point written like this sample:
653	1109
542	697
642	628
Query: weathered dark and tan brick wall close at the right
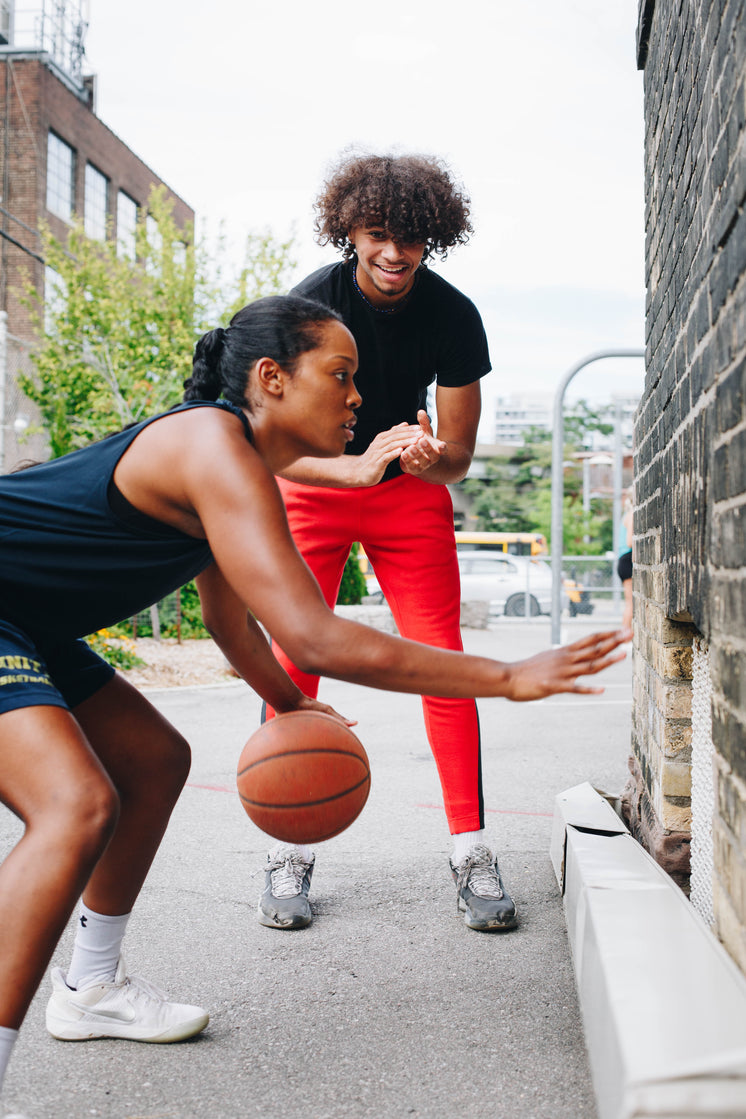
687	797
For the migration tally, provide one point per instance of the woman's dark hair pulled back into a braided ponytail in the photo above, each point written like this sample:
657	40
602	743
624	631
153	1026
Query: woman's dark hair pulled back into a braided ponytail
280	327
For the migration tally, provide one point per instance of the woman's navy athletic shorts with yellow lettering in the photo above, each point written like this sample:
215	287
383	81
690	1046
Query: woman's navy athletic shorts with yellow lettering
62	674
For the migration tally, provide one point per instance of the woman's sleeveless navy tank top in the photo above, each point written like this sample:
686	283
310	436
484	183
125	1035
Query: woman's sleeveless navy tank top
70	562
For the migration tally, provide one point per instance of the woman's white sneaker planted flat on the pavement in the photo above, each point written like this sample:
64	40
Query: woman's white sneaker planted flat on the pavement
129	1008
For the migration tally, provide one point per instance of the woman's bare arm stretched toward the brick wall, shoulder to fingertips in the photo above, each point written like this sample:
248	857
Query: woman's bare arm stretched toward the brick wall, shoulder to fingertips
240	507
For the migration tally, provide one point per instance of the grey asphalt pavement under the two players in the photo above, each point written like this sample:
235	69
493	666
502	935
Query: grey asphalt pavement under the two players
388	1007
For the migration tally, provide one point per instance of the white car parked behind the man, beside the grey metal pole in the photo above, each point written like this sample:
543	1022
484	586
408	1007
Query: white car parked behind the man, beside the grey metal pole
504	581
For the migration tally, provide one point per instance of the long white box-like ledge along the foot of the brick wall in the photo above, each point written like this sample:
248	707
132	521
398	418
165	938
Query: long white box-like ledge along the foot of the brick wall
664	1005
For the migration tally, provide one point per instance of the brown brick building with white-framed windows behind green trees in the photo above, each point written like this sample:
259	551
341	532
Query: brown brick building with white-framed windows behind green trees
58	161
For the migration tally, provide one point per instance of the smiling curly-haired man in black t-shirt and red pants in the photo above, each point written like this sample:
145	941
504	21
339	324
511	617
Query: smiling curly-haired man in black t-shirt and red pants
389	215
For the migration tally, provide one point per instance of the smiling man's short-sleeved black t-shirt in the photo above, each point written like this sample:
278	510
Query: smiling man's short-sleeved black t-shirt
437	336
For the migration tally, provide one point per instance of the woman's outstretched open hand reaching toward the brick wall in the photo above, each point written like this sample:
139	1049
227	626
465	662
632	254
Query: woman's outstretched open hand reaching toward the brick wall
559	670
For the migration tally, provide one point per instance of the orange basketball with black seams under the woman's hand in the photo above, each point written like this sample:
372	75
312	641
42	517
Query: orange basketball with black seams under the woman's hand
304	777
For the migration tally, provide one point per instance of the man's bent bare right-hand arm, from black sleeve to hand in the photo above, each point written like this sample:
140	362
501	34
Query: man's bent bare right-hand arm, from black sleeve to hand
447	458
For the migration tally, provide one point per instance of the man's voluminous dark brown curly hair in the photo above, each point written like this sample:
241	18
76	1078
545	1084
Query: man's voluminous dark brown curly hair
413	198
